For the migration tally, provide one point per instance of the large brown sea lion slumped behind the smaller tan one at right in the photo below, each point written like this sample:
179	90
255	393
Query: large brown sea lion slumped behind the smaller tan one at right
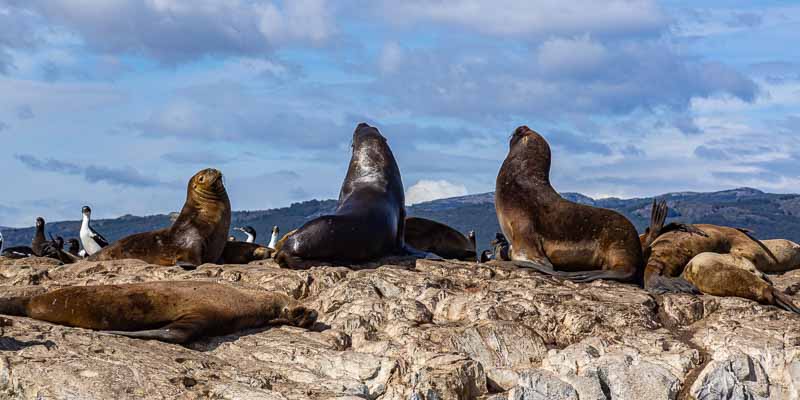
671	252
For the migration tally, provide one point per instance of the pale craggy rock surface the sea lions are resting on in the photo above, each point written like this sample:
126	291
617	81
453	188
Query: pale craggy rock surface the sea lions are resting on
419	330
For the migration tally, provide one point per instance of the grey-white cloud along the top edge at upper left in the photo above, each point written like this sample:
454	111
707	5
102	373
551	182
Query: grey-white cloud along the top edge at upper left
174	31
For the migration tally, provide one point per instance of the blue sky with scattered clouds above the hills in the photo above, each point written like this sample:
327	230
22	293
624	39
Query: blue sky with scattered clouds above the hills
116	103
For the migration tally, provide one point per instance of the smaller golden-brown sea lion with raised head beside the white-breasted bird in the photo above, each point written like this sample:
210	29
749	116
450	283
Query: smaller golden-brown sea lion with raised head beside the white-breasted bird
197	236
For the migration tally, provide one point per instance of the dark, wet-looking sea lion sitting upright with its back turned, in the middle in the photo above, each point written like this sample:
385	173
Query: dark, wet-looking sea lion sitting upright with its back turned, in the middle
369	220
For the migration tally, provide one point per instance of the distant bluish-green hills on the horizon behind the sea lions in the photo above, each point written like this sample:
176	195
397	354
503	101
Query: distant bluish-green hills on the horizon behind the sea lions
767	215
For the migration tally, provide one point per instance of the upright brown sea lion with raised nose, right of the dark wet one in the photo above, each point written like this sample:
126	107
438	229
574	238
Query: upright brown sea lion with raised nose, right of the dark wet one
547	232
